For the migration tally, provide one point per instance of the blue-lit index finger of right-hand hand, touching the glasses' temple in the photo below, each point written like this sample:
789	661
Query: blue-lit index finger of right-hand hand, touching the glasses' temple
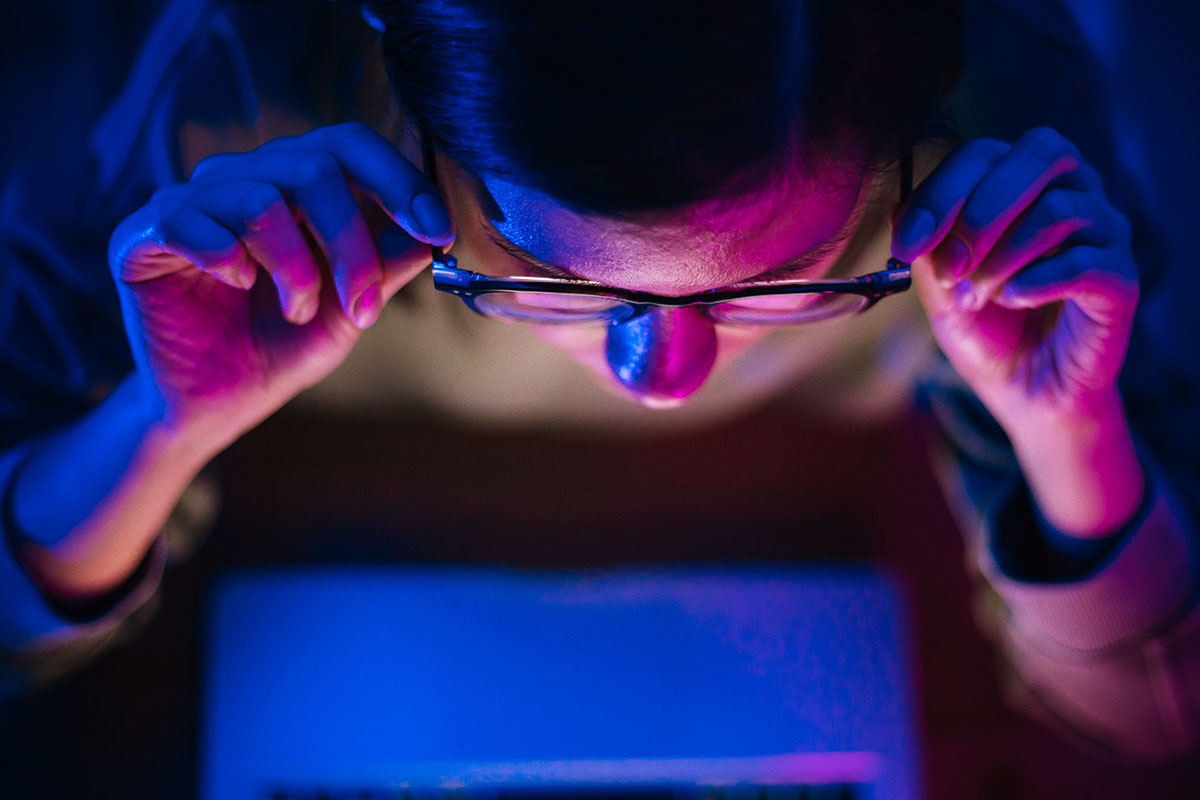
935	204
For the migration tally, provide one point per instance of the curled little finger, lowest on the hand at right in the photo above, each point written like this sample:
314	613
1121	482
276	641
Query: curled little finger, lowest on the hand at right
1102	285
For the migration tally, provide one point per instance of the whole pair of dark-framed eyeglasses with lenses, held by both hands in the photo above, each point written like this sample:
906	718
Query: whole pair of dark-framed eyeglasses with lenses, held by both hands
568	302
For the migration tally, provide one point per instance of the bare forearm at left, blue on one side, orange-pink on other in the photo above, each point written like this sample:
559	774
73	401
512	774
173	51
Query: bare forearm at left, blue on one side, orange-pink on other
91	501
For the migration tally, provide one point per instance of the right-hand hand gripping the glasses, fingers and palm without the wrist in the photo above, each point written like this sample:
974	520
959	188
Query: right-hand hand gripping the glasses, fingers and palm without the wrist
1027	275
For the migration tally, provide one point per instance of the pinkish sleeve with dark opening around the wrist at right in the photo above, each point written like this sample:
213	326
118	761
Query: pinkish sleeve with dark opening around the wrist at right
1113	653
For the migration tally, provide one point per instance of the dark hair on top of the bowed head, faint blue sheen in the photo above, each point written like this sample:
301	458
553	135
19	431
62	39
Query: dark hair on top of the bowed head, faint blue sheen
614	106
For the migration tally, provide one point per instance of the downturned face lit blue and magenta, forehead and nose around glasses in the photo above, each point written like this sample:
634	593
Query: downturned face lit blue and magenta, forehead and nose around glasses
795	227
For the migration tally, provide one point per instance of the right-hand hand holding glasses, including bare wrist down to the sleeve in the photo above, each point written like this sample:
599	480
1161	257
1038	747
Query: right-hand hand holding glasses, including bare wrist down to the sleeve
1028	279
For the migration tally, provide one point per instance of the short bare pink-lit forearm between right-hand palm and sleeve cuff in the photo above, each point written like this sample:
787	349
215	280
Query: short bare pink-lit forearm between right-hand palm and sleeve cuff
1083	470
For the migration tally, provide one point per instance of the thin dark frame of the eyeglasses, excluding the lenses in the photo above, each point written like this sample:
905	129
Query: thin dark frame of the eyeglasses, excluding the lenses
470	286
